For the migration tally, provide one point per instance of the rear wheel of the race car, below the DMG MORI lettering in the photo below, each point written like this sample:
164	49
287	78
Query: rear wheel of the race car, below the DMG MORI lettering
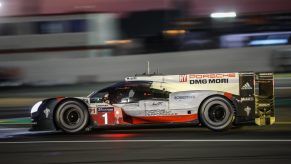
216	113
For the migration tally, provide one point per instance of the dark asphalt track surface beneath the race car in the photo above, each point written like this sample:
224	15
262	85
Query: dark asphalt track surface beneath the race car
183	143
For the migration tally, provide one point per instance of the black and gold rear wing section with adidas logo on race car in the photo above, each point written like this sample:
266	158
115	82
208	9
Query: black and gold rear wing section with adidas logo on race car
256	98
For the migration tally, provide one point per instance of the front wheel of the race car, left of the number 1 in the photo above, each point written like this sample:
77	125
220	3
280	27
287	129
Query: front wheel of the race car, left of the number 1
72	117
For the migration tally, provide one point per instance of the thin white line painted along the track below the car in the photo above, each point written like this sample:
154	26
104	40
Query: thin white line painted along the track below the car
135	141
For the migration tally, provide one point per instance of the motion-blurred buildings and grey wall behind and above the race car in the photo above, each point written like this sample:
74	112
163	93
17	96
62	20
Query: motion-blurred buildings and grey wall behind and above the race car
71	47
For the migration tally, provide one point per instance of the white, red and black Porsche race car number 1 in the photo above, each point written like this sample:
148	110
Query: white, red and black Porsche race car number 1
216	100
